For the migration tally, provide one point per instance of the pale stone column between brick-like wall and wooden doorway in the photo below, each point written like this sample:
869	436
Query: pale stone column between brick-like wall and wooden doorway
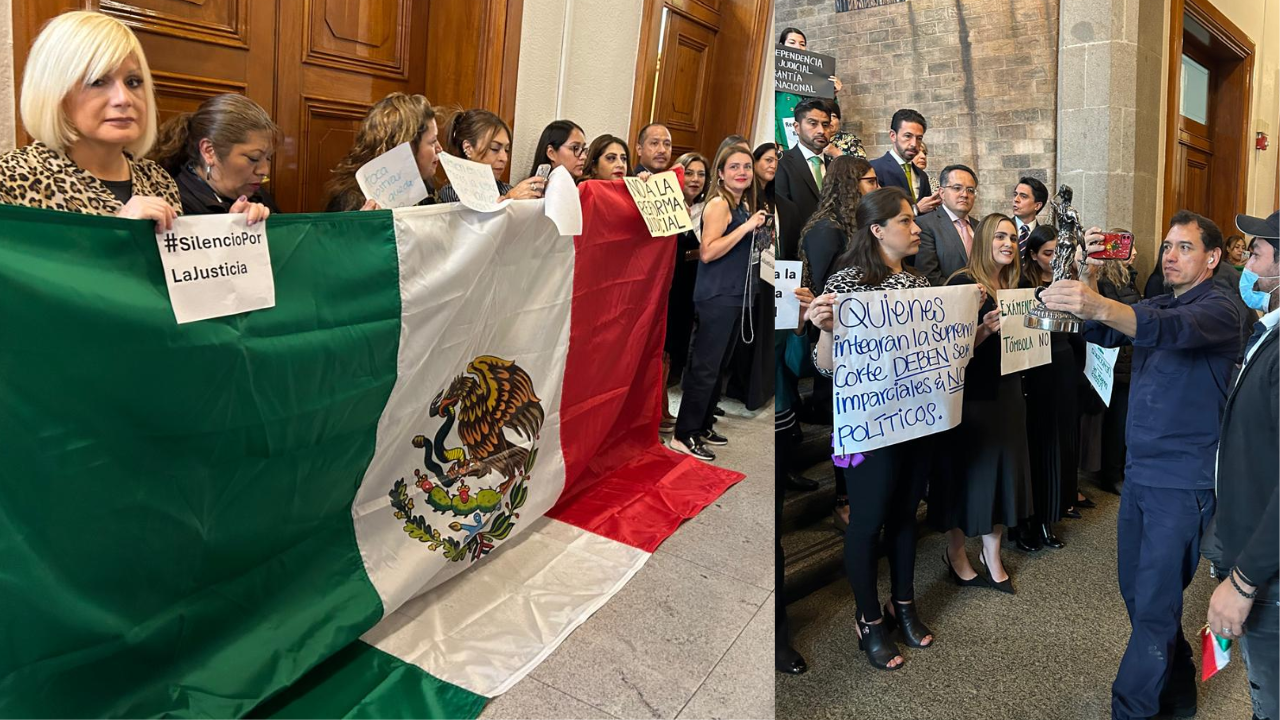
1109	115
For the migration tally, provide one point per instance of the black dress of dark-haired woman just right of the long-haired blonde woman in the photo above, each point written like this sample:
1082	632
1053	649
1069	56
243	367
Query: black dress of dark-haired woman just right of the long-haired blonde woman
1054	427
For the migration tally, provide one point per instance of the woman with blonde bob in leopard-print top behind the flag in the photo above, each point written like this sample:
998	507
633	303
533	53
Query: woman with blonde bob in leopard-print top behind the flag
89	102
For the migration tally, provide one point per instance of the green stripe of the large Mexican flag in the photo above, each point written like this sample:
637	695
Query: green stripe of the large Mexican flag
177	534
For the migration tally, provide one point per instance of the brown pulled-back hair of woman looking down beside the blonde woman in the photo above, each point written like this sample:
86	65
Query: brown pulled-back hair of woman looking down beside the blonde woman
223	120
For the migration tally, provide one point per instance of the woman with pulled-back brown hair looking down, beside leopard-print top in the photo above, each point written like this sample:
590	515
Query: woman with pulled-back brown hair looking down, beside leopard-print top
221	156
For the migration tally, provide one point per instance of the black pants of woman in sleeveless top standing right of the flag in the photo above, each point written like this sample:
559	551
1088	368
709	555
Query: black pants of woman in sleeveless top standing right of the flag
719	329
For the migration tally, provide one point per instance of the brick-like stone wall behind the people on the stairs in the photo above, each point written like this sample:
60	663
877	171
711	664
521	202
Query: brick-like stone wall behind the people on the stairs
982	72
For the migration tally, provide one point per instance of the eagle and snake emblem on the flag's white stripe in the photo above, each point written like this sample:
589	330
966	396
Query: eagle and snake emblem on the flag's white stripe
497	417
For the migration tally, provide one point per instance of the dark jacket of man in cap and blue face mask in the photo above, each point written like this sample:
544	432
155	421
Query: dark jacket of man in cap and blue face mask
1247	522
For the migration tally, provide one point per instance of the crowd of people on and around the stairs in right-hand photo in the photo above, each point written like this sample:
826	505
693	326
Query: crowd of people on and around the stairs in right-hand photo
1011	468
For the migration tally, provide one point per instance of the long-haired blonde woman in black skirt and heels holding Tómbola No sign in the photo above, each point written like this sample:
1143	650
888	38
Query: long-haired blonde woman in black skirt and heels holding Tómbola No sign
989	484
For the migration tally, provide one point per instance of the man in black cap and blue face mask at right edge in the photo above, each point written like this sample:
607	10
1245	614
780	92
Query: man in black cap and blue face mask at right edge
1247	604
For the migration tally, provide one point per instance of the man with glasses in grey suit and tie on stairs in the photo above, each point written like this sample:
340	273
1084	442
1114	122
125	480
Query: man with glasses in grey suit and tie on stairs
947	236
